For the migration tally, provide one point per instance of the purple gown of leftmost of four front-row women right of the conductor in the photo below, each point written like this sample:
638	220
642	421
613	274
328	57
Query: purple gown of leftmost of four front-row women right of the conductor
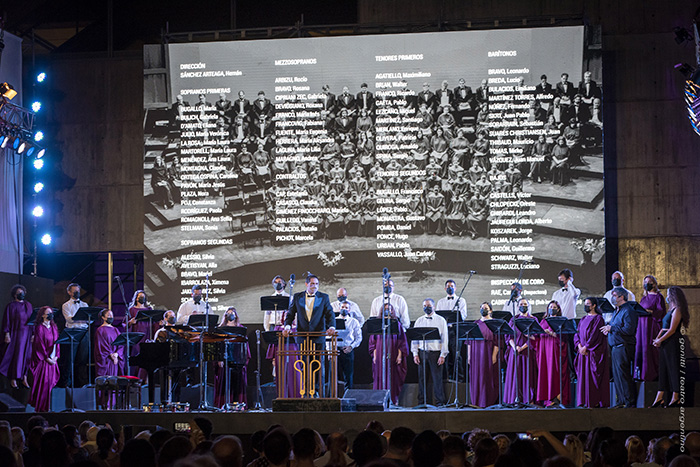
483	374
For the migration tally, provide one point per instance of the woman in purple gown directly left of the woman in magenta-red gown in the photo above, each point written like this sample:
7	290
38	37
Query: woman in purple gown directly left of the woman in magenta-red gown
526	362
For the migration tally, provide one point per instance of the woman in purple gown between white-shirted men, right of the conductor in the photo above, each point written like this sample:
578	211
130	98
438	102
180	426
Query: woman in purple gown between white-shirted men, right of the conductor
398	352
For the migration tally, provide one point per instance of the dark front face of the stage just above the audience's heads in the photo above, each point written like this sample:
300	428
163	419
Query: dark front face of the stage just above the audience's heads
639	421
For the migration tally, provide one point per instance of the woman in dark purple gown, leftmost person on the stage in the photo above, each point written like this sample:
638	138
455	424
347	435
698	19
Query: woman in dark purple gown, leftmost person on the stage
16	348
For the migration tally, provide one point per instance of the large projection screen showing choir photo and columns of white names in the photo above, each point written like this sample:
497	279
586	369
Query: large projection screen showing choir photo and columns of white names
271	157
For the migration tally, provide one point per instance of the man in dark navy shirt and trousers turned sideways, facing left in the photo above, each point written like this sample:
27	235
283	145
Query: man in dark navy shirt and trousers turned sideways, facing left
622	339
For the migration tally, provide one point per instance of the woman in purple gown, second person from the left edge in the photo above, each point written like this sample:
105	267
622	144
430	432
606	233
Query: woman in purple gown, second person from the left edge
43	364
